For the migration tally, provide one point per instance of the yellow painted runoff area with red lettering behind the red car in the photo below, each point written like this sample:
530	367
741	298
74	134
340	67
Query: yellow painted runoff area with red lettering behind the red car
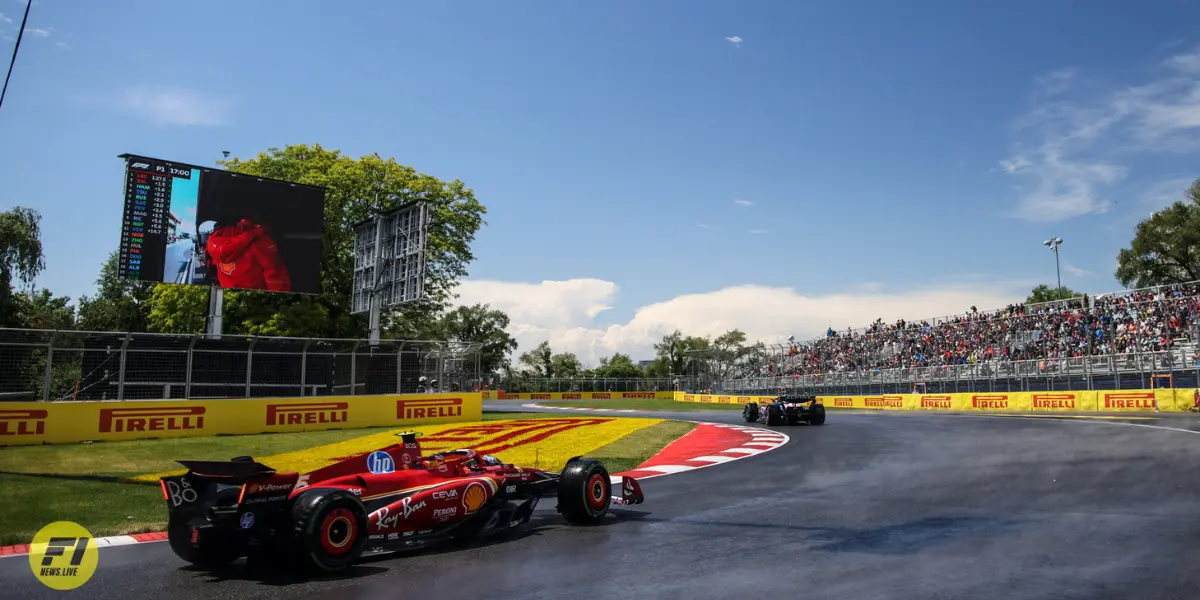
544	443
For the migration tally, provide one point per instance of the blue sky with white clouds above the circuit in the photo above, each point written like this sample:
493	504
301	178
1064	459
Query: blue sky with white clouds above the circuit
891	159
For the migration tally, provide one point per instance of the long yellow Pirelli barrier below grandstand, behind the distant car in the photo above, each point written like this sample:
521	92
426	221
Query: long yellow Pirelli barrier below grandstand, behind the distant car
1135	401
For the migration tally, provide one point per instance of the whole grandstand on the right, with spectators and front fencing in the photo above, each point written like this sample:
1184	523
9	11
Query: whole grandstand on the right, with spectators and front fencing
1129	340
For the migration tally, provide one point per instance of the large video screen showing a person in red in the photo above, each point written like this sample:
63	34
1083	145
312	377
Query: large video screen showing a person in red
209	227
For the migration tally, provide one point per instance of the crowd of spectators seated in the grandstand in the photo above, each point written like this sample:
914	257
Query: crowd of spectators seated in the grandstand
1144	321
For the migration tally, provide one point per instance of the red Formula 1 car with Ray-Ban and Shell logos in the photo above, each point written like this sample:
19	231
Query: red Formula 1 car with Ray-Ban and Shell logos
376	502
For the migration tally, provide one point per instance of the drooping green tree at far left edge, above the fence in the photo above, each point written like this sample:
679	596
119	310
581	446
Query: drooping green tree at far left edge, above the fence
21	259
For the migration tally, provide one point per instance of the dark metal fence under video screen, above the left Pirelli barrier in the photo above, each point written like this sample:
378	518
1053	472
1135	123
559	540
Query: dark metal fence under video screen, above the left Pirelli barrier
55	365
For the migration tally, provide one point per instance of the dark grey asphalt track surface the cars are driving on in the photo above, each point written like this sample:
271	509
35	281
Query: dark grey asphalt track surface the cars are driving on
868	507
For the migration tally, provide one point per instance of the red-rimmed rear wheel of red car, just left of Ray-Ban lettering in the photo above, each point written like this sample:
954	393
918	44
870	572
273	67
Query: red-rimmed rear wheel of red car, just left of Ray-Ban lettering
331	530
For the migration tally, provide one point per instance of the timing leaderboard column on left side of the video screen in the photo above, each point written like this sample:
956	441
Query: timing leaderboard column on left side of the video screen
147	218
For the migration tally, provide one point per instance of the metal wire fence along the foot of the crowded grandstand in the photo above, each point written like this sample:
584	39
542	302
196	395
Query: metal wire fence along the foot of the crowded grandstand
1174	369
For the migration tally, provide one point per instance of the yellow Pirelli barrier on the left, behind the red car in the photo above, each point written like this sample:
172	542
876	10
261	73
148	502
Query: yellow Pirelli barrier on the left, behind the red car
63	423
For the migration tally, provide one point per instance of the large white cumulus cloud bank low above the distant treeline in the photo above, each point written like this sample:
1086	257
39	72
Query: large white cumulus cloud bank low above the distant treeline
566	313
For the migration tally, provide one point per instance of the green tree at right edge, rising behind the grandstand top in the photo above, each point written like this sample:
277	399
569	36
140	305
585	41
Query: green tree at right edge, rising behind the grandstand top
1166	248
